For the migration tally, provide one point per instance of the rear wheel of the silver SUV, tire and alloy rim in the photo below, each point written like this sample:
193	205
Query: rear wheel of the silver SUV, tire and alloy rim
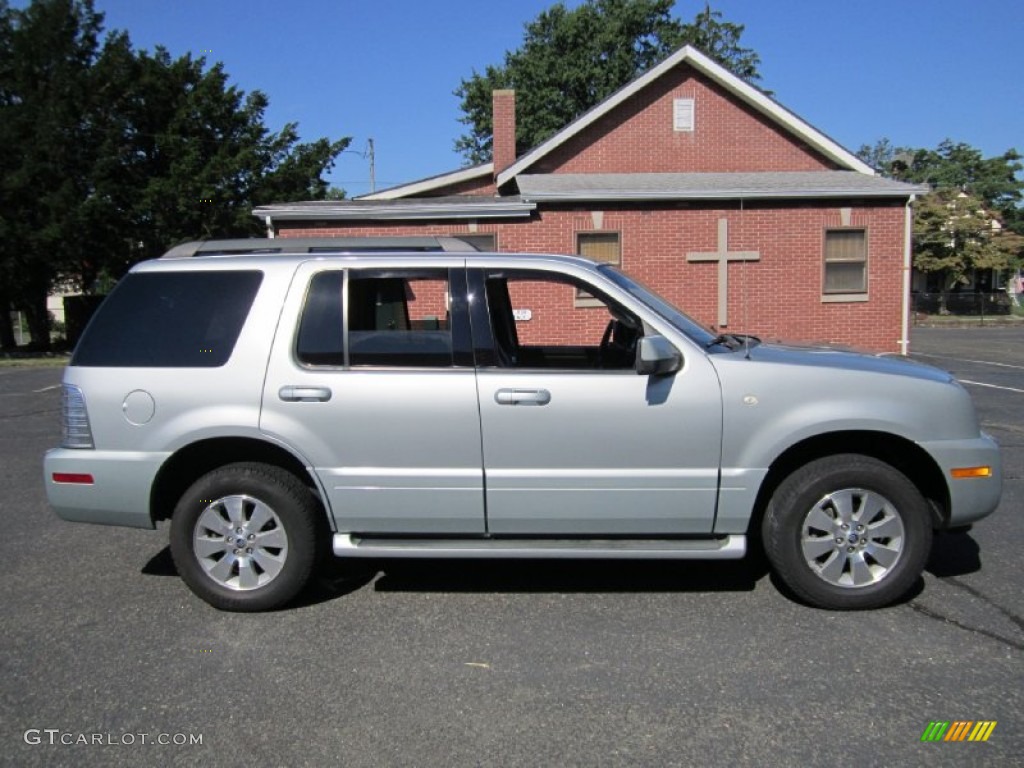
263	561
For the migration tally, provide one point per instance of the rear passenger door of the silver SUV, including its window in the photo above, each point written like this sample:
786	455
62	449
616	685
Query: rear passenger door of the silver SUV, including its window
371	379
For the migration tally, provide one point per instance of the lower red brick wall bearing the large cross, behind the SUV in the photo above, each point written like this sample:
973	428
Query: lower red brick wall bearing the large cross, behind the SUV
779	297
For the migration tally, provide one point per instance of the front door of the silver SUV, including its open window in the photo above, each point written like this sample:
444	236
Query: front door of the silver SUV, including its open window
575	442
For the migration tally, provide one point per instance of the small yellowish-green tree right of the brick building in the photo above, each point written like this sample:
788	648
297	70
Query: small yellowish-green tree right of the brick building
956	234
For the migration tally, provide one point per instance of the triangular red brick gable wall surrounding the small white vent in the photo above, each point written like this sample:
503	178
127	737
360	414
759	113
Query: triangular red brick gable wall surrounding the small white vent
638	137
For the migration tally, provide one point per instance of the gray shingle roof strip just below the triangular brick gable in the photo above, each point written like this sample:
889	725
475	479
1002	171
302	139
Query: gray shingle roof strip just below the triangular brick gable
776	185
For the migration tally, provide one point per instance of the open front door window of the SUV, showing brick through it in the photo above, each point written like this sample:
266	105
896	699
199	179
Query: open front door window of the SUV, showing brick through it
537	325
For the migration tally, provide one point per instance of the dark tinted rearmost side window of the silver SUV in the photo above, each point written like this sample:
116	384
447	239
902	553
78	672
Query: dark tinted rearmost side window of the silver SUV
169	320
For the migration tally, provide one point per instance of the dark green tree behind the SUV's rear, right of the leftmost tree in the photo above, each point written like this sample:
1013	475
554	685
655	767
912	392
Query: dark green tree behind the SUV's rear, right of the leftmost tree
188	157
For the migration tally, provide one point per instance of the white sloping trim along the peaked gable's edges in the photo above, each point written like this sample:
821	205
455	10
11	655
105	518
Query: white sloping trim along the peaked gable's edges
719	75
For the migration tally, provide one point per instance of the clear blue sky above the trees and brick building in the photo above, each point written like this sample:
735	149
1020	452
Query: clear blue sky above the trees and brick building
914	71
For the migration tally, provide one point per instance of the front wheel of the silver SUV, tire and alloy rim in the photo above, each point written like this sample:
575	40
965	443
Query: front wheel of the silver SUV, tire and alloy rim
847	569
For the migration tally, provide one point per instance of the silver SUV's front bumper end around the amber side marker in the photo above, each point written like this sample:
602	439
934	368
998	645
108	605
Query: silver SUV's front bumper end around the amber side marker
973	498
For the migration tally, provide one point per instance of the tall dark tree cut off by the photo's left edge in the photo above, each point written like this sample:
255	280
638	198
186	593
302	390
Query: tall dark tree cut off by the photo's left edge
47	53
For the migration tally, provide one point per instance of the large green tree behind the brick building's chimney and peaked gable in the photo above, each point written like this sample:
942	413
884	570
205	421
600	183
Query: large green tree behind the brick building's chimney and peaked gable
573	60
